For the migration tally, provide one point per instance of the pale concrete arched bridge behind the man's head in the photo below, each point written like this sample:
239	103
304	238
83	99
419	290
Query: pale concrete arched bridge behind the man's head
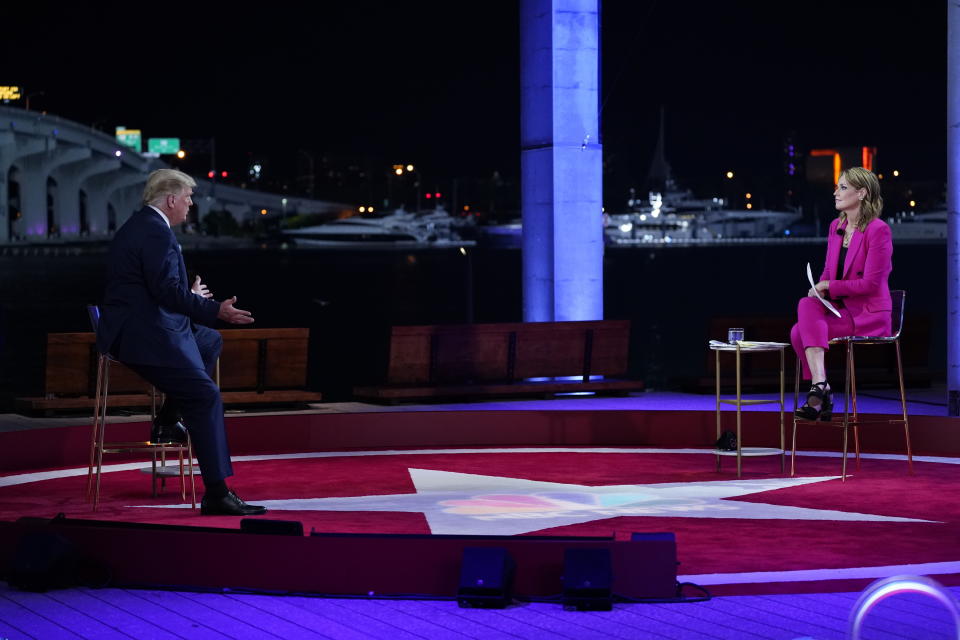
62	180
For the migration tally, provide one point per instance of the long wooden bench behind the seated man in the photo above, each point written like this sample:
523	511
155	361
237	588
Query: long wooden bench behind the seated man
256	366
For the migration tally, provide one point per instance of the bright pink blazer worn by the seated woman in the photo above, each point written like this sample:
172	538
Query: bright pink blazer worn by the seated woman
863	290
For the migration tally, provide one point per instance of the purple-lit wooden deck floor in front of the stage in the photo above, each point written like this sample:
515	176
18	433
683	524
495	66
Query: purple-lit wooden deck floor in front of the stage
145	614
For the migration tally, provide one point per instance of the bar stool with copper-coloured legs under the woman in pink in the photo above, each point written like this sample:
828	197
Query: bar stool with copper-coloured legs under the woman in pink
853	420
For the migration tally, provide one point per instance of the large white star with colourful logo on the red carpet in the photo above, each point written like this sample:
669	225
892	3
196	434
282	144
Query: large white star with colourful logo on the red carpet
471	504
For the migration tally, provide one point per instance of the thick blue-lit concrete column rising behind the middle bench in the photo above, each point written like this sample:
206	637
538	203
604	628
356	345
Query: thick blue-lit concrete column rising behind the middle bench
560	160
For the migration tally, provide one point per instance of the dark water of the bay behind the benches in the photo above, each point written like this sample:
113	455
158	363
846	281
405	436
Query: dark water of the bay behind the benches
350	298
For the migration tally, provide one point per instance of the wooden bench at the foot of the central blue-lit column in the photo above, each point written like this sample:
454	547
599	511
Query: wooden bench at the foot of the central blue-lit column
434	361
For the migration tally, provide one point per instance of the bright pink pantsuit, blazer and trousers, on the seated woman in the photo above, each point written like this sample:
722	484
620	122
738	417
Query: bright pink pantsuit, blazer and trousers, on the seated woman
863	293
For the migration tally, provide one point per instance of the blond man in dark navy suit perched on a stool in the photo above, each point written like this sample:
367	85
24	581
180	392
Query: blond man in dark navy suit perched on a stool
154	322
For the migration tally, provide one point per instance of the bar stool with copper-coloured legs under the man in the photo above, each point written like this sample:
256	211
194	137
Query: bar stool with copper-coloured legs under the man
156	449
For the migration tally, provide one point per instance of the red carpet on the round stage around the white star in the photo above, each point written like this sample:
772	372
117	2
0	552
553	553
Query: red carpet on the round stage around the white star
706	545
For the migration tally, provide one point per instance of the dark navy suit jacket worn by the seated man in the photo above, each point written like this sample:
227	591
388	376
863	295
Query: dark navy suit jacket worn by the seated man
148	307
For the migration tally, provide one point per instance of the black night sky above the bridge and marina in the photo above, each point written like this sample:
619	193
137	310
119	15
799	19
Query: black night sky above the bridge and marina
437	83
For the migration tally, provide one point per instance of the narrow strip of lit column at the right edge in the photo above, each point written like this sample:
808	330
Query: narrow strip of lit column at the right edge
953	209
